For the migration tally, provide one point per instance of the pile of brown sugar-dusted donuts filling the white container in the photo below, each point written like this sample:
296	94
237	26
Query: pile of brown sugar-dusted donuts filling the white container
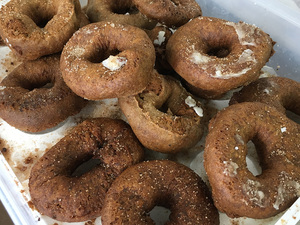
163	61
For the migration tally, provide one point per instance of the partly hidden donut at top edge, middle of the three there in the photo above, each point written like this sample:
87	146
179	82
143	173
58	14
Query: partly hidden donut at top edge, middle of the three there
117	11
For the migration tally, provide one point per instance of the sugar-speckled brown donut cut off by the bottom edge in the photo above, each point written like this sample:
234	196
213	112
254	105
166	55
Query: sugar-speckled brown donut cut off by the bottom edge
165	183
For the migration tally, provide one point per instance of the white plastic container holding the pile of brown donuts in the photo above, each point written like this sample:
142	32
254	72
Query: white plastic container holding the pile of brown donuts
273	16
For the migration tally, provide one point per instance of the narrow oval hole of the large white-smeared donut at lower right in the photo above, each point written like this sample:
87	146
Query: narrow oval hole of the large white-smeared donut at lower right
252	159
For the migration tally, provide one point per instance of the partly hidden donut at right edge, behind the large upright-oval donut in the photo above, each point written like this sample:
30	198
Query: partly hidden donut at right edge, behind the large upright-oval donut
280	92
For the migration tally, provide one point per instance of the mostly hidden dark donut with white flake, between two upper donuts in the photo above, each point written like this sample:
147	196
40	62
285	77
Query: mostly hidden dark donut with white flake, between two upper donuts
159	36
